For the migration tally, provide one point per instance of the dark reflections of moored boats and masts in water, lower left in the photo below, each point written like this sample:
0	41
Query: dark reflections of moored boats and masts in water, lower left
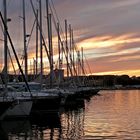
67	123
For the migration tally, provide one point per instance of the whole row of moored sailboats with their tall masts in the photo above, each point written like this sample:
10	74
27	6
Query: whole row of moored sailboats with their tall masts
41	92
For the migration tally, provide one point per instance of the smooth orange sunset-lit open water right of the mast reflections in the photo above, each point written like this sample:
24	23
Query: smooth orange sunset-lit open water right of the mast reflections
114	115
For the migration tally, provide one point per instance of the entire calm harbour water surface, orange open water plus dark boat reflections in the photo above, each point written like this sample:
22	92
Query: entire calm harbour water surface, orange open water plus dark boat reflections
113	115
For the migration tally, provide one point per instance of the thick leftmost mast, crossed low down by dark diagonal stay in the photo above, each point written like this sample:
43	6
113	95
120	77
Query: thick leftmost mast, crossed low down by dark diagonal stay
5	46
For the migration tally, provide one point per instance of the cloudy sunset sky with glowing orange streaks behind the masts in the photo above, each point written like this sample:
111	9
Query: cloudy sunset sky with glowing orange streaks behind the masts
108	30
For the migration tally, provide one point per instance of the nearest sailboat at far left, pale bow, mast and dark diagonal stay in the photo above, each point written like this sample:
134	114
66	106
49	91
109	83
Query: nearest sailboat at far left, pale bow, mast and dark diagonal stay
21	106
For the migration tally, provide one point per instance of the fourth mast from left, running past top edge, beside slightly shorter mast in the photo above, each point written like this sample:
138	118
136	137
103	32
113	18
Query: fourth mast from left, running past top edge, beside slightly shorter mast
41	47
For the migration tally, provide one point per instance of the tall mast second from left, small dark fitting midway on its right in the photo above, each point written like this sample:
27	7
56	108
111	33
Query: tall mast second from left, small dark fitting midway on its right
25	46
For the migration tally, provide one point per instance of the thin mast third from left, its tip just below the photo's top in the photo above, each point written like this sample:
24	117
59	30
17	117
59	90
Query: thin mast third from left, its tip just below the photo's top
36	71
